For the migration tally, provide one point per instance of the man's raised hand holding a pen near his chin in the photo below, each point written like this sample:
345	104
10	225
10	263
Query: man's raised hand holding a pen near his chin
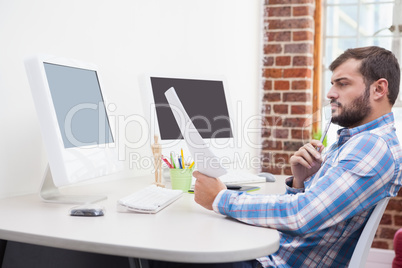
306	162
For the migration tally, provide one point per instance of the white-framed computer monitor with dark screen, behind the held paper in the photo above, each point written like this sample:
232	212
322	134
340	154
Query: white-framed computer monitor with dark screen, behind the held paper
206	101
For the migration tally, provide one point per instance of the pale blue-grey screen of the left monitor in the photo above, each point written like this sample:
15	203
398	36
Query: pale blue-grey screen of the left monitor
79	106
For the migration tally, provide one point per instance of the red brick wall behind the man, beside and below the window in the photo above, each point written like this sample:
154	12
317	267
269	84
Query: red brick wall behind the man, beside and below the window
287	98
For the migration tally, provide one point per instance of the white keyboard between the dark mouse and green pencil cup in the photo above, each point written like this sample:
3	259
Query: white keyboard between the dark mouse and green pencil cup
150	199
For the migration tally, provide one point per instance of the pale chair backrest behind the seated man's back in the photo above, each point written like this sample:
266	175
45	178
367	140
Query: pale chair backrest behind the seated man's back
363	246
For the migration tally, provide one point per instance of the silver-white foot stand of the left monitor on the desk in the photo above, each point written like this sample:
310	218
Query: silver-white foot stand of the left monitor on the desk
50	193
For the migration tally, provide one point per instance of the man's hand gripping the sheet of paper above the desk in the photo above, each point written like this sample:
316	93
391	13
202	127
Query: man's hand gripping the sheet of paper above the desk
206	189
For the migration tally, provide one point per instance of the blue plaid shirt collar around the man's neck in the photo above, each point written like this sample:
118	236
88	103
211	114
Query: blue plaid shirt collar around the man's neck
344	134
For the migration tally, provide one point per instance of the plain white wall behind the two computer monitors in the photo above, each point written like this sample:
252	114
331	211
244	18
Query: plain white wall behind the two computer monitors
125	39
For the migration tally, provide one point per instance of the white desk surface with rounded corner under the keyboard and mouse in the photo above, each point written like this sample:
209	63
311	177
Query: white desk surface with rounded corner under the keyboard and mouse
184	231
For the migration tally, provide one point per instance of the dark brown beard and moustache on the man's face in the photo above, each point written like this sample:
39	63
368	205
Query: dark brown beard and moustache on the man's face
355	112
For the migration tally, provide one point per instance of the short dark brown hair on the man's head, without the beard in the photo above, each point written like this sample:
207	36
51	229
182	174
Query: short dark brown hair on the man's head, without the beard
376	63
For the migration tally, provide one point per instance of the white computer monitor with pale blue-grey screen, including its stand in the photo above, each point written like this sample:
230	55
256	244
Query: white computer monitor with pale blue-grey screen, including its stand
75	127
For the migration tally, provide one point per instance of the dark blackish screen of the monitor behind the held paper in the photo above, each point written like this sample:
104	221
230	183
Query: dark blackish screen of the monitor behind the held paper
204	102
